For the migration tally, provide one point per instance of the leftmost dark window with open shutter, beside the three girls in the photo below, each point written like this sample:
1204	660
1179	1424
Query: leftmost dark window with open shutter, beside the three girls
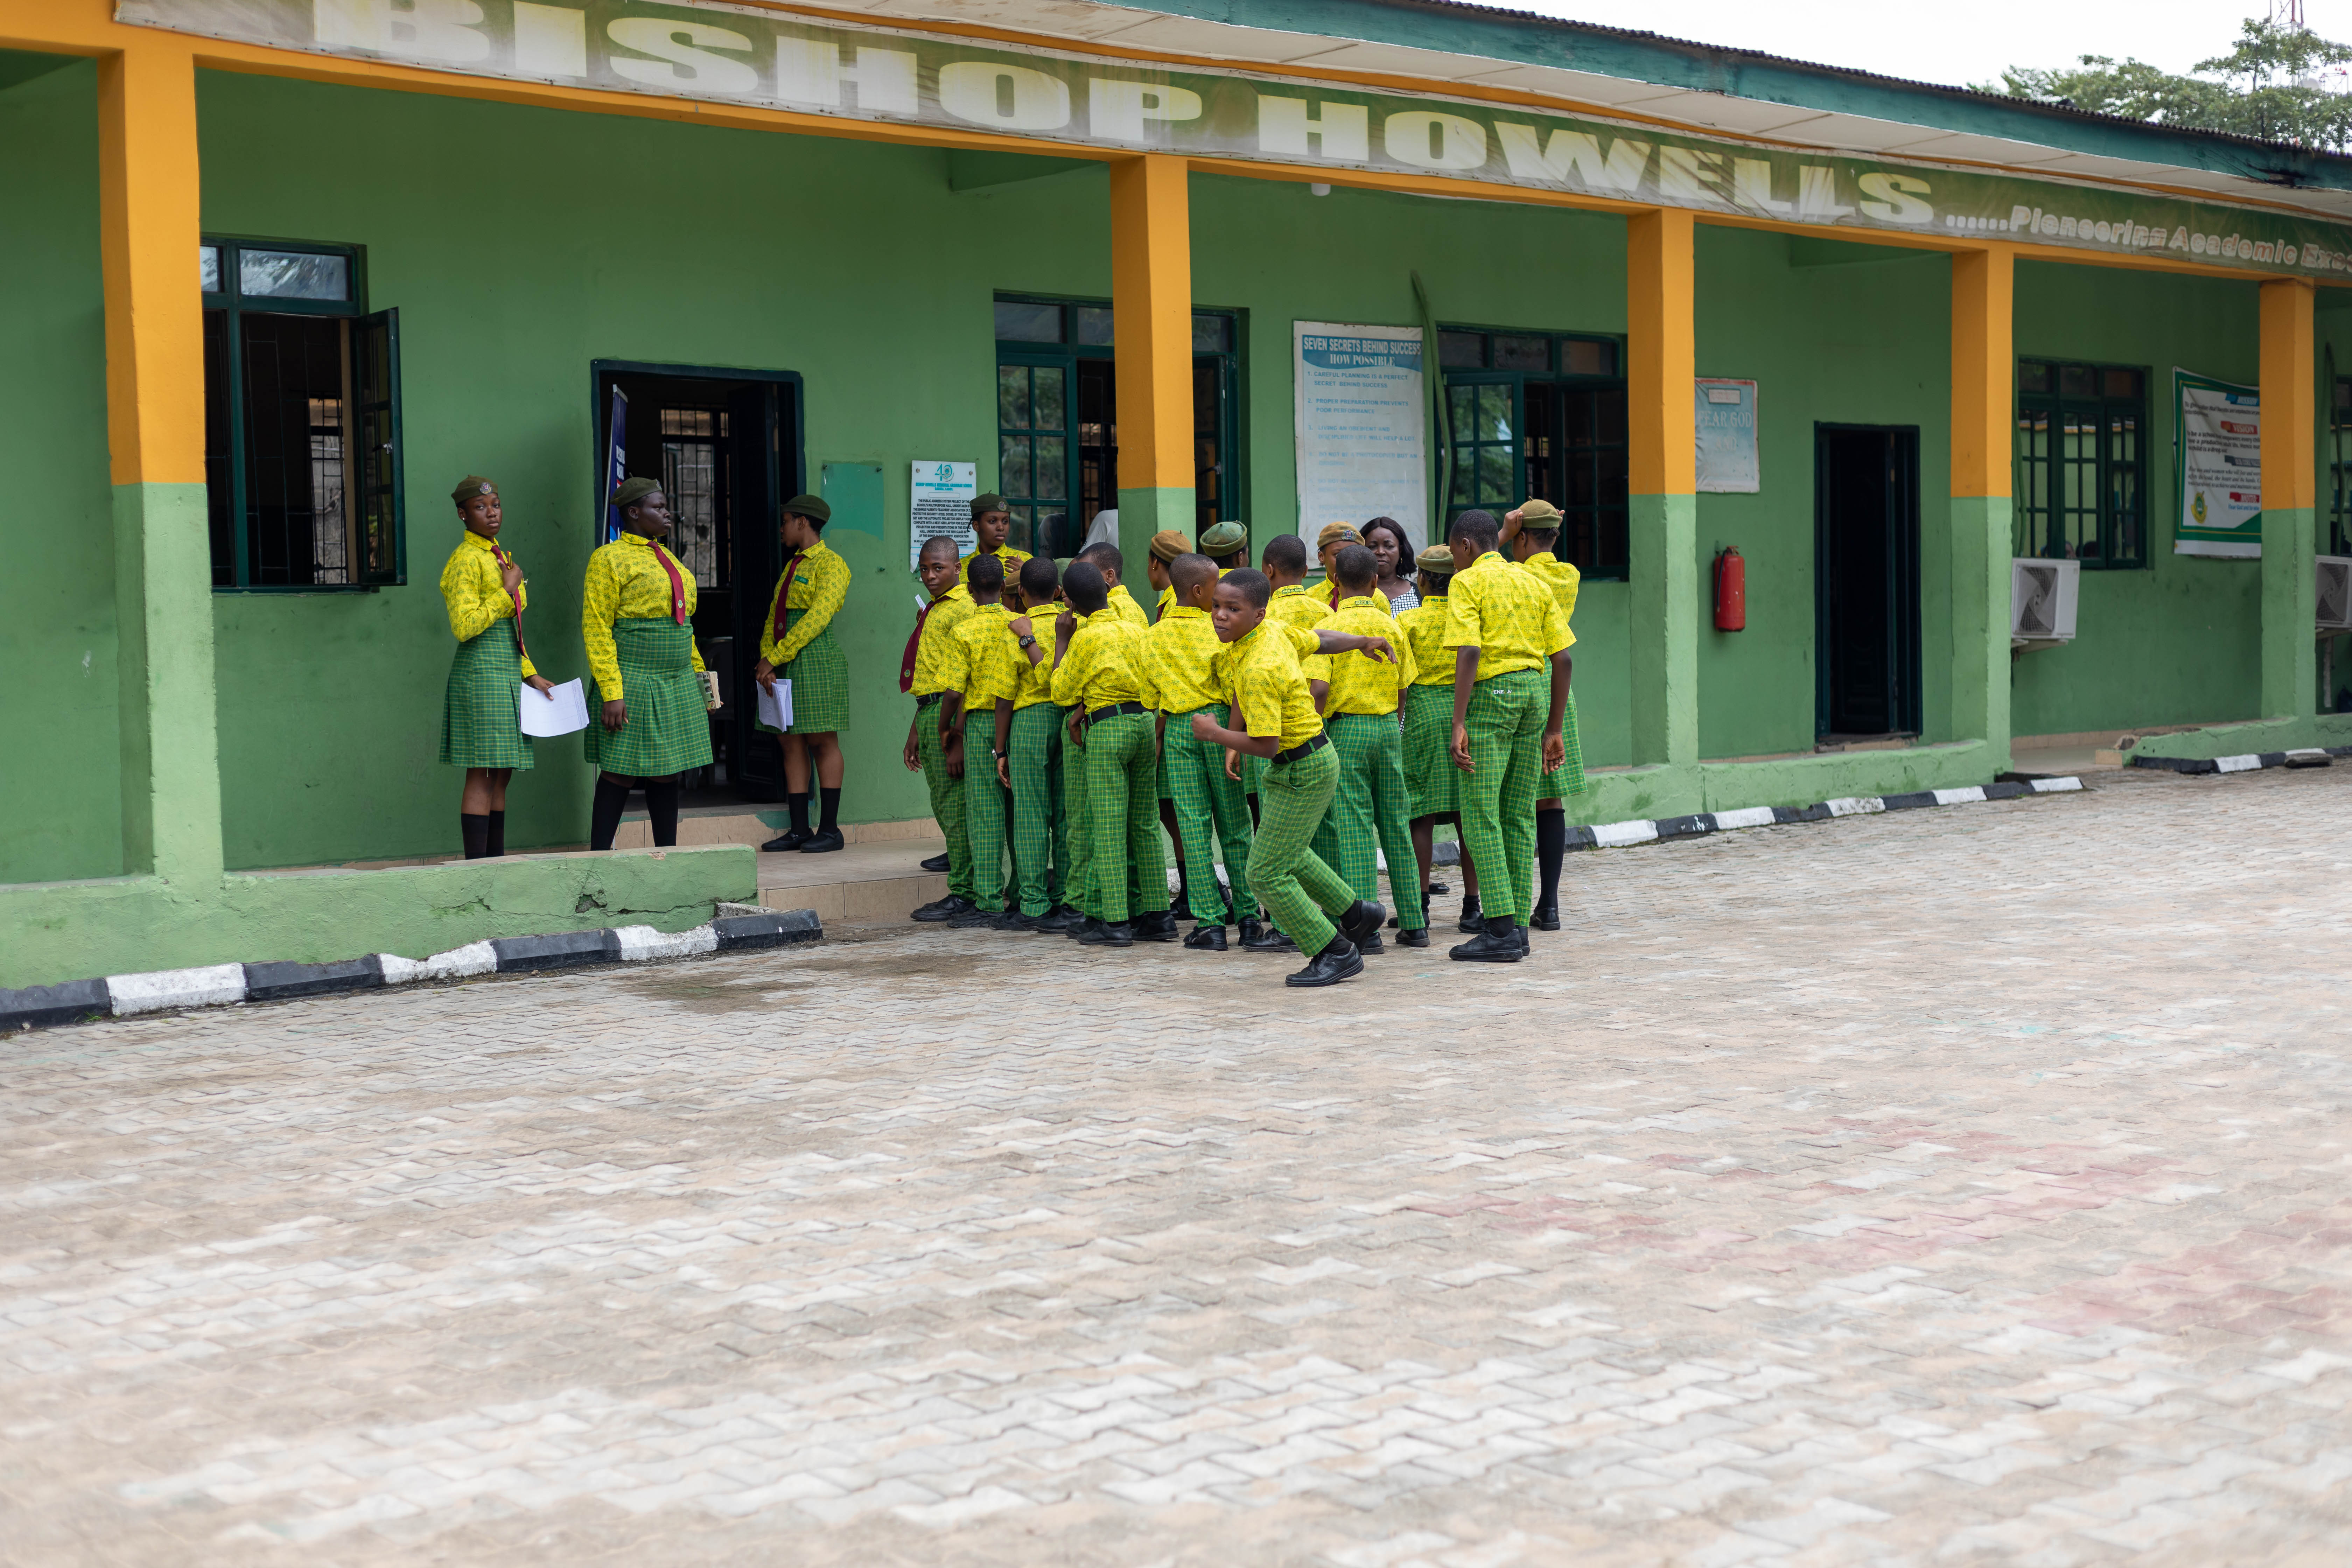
269	307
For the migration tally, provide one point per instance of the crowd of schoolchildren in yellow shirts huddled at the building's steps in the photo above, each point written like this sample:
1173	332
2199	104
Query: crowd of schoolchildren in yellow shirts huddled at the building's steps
1285	730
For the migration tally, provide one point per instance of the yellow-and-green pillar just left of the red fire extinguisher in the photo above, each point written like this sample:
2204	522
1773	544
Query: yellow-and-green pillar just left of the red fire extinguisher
1662	366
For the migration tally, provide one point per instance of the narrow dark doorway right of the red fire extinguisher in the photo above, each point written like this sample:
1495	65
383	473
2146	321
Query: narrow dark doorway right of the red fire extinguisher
1866	601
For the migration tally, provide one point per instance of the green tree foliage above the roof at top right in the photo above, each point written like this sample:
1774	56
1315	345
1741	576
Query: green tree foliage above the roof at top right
2271	86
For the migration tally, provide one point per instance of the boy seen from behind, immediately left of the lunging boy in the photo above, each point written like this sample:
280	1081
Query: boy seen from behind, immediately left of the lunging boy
1180	681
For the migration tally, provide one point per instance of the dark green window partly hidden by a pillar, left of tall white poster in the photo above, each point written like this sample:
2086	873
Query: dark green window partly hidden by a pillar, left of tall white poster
1057	417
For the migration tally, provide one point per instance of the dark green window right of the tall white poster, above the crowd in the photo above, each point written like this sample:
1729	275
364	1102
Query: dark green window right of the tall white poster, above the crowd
1542	415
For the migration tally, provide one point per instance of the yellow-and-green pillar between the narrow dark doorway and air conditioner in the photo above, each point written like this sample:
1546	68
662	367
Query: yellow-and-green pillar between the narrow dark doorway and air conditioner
1984	429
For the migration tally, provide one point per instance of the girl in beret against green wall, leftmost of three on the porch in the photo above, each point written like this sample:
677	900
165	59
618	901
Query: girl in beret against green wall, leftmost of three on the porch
481	728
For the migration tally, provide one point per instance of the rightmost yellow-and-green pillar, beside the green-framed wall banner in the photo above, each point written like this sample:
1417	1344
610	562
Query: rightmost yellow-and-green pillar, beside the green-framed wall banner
2290	500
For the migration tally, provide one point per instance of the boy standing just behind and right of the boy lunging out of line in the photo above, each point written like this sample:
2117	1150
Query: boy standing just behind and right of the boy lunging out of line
1372	812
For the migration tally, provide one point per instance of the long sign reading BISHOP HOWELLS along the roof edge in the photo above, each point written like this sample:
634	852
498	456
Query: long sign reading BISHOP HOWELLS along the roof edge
751	55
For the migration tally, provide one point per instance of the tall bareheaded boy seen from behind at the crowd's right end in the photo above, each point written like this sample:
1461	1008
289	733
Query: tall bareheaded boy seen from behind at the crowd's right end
1504	629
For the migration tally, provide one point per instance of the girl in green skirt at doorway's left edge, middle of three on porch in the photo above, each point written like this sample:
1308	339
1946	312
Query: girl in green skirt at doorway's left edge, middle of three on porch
639	624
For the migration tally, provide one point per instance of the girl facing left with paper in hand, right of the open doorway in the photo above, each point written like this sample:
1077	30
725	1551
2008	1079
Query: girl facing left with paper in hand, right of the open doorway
799	648
